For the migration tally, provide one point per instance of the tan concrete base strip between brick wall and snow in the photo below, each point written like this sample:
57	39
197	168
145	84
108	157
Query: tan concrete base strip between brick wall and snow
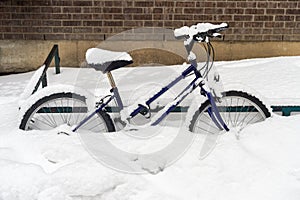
27	55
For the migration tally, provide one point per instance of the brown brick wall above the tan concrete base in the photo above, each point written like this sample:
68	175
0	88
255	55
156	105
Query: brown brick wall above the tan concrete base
249	20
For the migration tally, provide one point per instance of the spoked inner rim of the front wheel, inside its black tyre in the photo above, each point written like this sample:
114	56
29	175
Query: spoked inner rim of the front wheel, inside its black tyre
236	111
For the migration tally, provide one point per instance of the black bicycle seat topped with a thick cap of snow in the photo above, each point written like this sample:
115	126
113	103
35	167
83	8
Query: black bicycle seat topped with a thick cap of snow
105	61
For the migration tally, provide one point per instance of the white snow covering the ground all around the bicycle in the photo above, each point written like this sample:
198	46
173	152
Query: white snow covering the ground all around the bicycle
264	163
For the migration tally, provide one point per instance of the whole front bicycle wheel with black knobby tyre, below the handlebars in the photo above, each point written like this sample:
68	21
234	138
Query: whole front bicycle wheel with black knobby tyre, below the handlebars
238	109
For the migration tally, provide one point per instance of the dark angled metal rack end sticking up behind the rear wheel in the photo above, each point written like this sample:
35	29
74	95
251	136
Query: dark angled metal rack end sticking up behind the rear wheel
43	78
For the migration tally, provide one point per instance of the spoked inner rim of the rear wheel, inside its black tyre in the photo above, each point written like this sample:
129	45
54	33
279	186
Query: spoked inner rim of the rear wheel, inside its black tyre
64	110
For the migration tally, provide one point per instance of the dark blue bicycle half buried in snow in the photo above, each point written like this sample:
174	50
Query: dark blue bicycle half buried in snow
218	113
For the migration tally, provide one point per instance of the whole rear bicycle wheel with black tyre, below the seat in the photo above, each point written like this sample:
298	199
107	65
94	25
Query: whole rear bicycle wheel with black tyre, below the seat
64	108
